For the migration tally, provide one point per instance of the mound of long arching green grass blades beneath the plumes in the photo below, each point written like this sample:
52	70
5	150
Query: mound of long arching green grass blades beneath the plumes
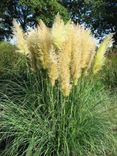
37	120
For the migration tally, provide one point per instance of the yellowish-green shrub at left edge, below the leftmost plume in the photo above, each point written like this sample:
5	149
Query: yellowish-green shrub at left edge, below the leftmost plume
10	60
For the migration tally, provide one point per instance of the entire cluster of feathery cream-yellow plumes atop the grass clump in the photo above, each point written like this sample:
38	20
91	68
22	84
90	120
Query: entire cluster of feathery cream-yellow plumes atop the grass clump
65	51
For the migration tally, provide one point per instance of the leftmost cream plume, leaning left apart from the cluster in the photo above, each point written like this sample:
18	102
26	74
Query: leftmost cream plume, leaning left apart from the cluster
20	38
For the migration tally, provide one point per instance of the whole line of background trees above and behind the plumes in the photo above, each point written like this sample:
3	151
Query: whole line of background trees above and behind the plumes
99	15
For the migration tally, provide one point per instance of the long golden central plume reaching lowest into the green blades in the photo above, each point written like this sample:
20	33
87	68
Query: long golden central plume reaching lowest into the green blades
65	60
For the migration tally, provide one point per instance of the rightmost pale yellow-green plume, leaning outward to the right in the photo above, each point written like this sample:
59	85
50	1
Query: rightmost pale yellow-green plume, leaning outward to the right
100	55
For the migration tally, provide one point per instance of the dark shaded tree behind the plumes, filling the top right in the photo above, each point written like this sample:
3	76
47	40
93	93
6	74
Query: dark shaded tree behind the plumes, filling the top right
99	15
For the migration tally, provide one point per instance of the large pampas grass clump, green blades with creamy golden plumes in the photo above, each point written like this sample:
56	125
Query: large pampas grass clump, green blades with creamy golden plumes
36	117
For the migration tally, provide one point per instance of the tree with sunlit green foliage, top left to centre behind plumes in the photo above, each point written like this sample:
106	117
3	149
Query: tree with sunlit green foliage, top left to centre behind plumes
27	13
